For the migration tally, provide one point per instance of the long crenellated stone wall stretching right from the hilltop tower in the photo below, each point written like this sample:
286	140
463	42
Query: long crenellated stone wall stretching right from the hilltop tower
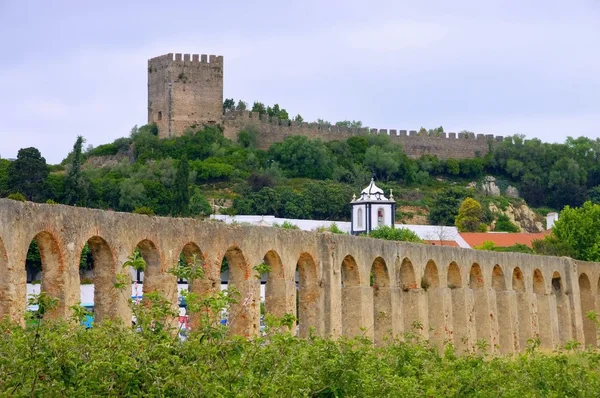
444	145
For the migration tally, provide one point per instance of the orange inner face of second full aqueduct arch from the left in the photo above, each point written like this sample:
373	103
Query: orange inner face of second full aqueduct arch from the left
108	303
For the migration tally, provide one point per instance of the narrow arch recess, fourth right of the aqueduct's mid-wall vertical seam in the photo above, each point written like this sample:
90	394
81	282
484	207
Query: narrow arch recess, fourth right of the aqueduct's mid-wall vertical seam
435	304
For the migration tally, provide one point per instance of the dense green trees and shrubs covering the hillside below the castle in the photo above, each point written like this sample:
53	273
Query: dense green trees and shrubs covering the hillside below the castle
299	177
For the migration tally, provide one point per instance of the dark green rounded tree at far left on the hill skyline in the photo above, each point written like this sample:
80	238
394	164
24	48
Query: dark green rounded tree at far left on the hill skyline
27	174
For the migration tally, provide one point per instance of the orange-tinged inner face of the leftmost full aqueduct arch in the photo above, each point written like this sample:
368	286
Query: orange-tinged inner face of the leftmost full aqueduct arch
53	272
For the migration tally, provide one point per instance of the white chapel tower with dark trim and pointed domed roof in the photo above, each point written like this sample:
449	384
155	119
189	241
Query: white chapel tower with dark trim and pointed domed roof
372	210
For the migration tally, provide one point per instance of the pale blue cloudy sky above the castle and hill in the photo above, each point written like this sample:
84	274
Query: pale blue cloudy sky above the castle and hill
70	68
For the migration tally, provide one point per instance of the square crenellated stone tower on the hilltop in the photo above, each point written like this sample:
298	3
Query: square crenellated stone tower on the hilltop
184	90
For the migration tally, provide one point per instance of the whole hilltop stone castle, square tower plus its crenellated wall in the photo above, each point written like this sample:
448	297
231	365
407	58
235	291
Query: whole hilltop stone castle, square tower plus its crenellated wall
187	90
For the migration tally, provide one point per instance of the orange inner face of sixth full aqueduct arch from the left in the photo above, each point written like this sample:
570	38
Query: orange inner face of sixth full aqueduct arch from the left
277	298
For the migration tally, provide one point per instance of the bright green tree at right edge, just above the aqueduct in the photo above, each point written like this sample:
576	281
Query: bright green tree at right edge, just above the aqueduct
579	229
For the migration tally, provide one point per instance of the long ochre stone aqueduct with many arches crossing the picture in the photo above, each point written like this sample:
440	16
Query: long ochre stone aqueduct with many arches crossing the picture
345	285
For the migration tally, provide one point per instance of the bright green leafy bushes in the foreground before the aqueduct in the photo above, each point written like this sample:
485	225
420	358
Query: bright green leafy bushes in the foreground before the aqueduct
154	358
